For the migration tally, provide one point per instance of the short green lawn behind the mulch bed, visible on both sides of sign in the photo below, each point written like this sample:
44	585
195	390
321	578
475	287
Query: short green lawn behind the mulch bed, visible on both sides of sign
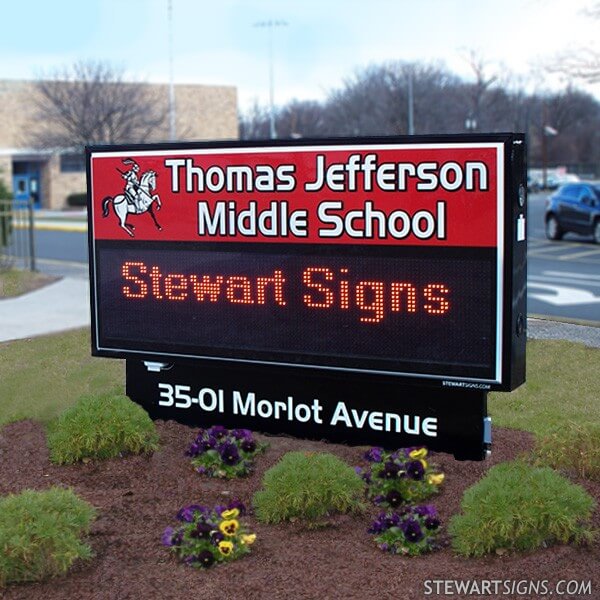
42	376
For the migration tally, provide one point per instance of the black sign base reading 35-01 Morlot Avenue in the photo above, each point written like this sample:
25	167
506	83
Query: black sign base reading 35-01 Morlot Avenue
349	408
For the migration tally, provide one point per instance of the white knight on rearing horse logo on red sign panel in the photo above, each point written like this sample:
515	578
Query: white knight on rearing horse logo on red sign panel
138	196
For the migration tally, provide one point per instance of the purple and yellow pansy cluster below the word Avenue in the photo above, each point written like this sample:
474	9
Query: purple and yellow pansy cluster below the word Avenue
400	477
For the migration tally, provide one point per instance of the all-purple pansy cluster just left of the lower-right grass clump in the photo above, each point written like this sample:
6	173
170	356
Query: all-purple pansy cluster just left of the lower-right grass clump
410	531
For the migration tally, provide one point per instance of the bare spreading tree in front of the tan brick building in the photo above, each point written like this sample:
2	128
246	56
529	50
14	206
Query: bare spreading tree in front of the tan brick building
90	103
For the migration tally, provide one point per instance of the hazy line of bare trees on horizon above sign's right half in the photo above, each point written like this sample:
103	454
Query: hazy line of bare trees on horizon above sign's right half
374	101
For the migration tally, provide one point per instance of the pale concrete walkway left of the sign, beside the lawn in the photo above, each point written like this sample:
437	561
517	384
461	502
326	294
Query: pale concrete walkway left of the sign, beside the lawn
57	307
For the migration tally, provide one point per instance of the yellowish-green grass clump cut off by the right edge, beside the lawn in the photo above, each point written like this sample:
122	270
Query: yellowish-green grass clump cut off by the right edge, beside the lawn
572	448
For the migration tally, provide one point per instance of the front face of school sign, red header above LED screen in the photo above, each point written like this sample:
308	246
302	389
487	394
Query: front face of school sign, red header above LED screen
376	257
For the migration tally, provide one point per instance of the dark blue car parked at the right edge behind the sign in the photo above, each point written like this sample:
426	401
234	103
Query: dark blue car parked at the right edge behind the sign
574	207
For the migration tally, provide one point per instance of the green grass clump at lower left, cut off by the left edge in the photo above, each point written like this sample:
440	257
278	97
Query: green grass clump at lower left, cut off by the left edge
40	534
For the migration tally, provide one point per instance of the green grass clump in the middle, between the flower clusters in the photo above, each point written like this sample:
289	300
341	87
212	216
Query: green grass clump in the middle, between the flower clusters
310	487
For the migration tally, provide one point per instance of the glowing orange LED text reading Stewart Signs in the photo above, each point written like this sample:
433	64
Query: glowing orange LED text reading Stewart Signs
320	288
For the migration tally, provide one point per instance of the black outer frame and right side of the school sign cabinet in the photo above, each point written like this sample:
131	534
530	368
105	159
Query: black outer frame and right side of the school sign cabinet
513	309
